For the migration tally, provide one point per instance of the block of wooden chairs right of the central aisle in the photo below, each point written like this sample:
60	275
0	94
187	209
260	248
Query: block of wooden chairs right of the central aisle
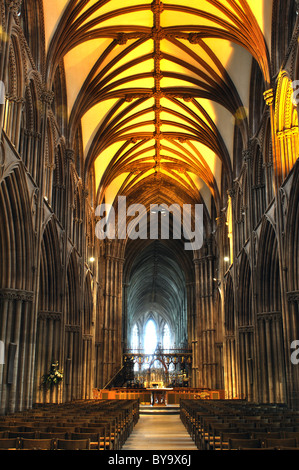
218	426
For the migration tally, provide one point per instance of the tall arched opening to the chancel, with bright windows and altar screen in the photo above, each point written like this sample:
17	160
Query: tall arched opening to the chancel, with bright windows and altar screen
155	312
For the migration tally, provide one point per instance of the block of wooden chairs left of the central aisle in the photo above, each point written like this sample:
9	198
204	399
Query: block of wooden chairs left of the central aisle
105	423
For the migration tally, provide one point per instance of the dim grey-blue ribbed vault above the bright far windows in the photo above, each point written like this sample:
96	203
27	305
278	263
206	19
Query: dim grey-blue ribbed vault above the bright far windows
157	285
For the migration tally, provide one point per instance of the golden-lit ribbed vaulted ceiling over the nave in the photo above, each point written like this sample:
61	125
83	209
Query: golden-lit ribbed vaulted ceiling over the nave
158	88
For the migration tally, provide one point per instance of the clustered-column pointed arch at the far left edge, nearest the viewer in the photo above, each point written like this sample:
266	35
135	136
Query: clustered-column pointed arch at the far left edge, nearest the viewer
17	316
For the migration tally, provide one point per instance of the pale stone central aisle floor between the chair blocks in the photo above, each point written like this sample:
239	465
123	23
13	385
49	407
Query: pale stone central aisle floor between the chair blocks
159	432
